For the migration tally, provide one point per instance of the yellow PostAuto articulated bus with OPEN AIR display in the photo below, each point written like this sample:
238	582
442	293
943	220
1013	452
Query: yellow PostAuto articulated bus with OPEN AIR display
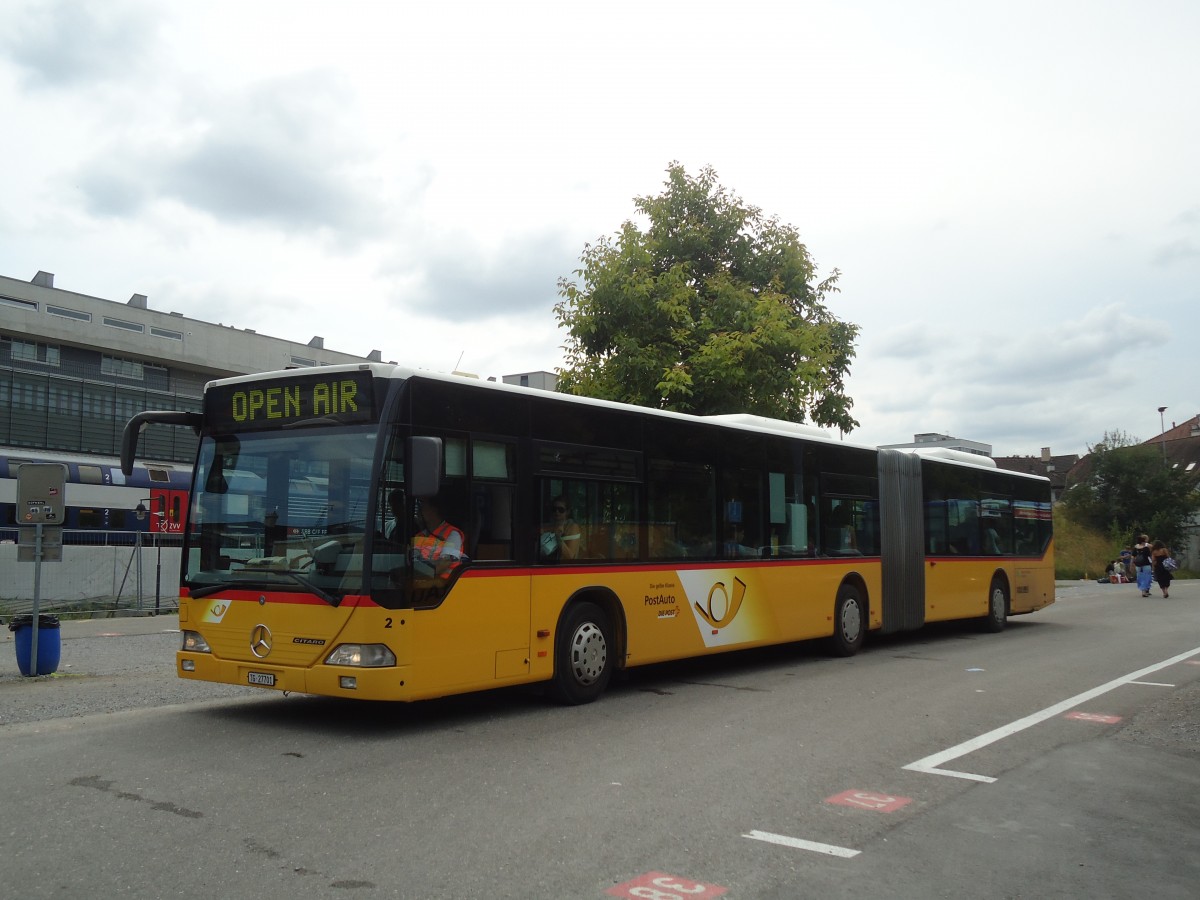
387	535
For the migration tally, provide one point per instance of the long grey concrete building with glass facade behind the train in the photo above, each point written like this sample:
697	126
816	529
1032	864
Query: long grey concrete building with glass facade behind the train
75	369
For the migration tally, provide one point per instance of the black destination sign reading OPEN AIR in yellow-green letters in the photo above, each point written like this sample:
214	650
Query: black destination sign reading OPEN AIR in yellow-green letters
345	398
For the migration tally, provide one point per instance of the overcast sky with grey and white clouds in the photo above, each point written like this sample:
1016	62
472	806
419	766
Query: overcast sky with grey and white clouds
1011	191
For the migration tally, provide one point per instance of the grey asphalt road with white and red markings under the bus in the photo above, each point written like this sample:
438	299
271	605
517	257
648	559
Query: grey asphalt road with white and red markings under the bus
1059	759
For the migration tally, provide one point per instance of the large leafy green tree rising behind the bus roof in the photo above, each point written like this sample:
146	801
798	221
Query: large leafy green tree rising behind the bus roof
707	308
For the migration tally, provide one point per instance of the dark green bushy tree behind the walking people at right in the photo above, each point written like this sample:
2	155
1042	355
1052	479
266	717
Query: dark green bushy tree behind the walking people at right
1129	490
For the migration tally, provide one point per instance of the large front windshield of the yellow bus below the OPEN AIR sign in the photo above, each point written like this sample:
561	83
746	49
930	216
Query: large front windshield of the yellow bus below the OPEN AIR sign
281	511
